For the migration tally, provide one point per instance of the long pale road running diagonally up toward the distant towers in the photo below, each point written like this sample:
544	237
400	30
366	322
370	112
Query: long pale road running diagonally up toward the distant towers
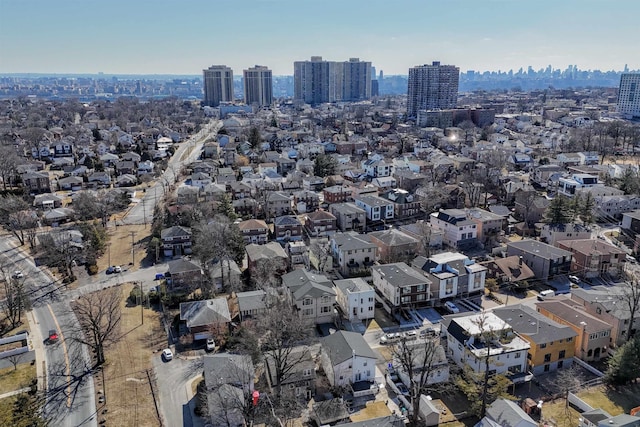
186	153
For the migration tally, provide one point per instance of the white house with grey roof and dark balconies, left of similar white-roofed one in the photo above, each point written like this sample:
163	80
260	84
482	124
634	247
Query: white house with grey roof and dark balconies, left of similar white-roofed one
401	286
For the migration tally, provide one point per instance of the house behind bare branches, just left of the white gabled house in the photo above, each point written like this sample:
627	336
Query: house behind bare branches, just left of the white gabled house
300	378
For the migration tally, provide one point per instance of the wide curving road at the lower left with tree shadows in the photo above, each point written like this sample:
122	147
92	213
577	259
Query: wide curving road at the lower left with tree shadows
70	396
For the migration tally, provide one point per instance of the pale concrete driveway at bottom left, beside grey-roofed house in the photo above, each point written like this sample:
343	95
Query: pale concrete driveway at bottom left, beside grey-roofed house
174	390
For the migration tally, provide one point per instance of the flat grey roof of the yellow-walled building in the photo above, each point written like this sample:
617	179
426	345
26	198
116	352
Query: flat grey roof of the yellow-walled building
526	321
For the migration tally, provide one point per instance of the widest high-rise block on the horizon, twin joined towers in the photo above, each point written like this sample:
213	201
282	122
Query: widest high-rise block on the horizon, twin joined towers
317	81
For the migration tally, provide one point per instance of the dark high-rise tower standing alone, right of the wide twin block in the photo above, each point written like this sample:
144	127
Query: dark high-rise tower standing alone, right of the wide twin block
432	87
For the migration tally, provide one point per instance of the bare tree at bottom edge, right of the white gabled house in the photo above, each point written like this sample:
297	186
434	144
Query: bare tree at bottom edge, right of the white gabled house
418	360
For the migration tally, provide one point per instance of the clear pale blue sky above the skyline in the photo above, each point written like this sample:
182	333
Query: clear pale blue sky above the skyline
186	36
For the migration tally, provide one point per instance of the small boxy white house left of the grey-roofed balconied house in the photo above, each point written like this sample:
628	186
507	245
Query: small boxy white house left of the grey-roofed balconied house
356	299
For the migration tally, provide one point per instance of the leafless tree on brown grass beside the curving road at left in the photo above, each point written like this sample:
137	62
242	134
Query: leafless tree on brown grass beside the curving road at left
99	315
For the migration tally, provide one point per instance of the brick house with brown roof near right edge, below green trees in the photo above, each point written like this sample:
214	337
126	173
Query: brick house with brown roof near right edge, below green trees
594	257
